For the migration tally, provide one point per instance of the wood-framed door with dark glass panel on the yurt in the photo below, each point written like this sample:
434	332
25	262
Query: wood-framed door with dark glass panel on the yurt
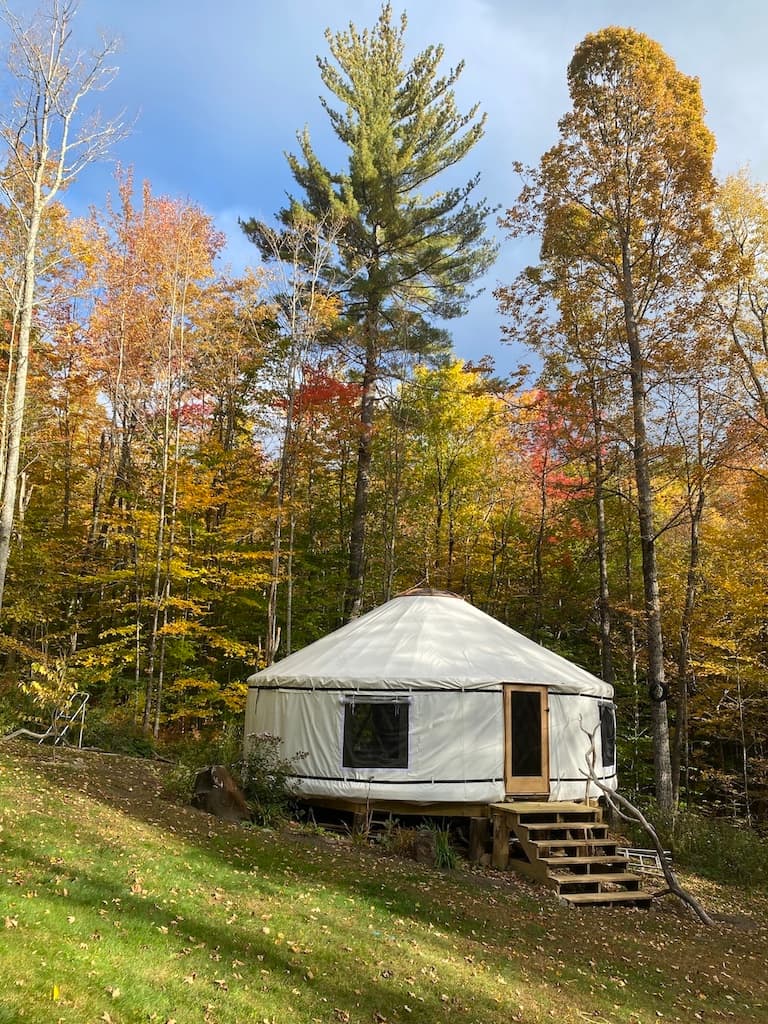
526	741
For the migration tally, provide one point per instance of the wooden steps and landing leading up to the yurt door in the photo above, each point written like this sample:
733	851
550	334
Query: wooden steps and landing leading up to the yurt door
567	847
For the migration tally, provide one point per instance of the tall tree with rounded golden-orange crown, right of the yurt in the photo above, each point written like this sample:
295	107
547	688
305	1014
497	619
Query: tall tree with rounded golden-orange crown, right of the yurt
626	194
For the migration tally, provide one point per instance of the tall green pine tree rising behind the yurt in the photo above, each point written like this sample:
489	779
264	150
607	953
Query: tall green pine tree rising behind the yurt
410	257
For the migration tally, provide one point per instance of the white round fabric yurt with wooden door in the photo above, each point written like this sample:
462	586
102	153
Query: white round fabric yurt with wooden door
429	702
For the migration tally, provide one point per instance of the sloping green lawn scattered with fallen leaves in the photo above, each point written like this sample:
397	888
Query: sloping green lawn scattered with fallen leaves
117	906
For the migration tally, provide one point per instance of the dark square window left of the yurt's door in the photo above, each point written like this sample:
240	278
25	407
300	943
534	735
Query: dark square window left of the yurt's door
375	733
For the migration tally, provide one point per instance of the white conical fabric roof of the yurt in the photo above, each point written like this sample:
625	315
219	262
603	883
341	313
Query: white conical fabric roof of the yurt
428	642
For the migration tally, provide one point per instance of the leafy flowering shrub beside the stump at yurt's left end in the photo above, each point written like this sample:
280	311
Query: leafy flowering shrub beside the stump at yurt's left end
267	779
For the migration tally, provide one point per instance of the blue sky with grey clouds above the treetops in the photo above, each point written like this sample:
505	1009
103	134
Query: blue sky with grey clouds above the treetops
221	90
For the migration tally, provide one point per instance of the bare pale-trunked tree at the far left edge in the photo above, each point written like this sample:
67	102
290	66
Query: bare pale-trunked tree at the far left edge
48	142
